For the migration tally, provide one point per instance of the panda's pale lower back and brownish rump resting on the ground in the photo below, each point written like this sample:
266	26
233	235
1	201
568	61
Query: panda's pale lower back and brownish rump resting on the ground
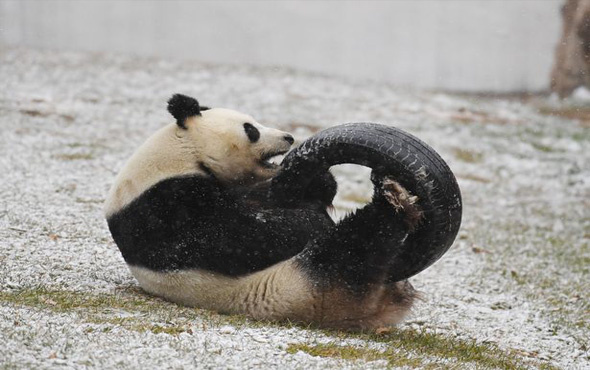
278	293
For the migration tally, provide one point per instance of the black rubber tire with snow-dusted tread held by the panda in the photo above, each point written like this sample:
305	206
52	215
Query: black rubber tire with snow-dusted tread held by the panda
389	152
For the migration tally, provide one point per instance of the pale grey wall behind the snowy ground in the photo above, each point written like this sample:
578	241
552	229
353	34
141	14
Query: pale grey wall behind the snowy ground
479	45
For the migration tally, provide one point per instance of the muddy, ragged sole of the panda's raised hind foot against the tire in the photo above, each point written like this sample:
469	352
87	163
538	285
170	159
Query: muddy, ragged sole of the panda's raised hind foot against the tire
402	202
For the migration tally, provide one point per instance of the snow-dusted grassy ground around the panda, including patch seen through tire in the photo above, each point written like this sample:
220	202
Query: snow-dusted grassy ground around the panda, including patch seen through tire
512	292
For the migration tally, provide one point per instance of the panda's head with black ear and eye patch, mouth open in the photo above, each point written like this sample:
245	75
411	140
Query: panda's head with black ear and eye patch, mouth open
230	145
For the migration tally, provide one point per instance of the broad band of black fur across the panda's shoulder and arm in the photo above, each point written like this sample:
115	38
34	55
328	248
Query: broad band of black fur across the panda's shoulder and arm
194	222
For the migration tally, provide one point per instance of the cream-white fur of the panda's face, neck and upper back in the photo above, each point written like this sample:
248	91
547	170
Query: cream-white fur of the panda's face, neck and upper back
215	138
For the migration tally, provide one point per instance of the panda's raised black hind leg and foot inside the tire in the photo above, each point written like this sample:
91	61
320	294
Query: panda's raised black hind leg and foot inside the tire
358	250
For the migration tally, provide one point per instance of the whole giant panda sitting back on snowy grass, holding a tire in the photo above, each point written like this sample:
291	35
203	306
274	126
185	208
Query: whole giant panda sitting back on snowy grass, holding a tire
190	215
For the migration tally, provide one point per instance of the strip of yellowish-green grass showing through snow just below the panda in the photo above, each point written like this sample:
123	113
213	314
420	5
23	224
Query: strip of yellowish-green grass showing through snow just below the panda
149	314
